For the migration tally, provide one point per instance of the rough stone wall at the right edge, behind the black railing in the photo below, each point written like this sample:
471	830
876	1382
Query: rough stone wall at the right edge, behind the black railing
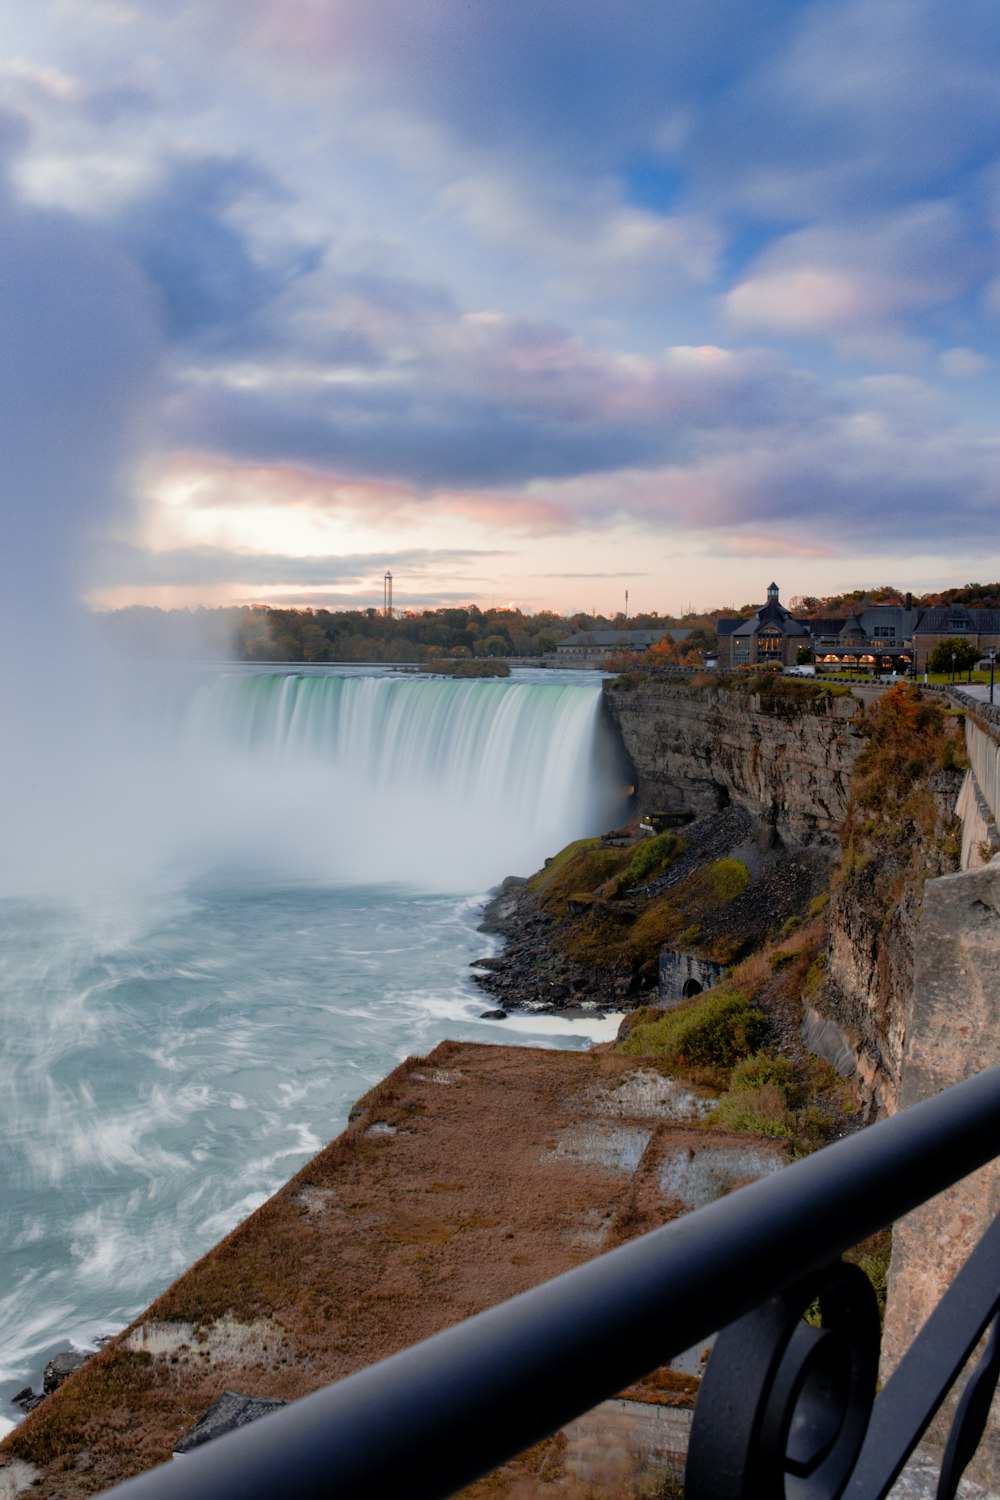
953	1033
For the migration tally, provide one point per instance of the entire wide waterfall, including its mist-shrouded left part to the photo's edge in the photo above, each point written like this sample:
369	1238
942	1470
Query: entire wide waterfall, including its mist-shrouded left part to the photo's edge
314	775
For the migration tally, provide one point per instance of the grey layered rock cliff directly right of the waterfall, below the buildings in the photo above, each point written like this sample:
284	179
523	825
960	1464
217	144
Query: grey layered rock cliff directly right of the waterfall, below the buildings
785	758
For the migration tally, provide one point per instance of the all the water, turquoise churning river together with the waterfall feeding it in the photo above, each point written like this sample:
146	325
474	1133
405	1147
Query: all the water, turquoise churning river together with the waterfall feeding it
218	937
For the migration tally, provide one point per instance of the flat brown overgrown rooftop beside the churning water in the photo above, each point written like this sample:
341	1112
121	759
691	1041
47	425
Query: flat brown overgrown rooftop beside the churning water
485	1189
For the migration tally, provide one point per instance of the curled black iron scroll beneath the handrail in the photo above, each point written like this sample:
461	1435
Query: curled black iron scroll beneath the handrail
785	1405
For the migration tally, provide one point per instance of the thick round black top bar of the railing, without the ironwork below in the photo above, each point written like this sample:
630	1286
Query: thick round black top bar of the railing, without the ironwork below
442	1414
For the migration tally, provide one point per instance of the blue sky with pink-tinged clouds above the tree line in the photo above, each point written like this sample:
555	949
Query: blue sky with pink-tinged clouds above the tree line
527	301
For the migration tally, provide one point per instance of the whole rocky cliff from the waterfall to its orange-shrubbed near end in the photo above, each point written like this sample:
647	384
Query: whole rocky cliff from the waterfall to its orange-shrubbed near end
798	766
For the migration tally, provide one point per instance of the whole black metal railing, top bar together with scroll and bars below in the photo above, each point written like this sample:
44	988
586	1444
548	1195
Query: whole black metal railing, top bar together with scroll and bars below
788	1409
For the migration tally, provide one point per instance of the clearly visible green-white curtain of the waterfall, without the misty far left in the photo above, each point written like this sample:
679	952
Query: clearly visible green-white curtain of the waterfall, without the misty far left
442	784
